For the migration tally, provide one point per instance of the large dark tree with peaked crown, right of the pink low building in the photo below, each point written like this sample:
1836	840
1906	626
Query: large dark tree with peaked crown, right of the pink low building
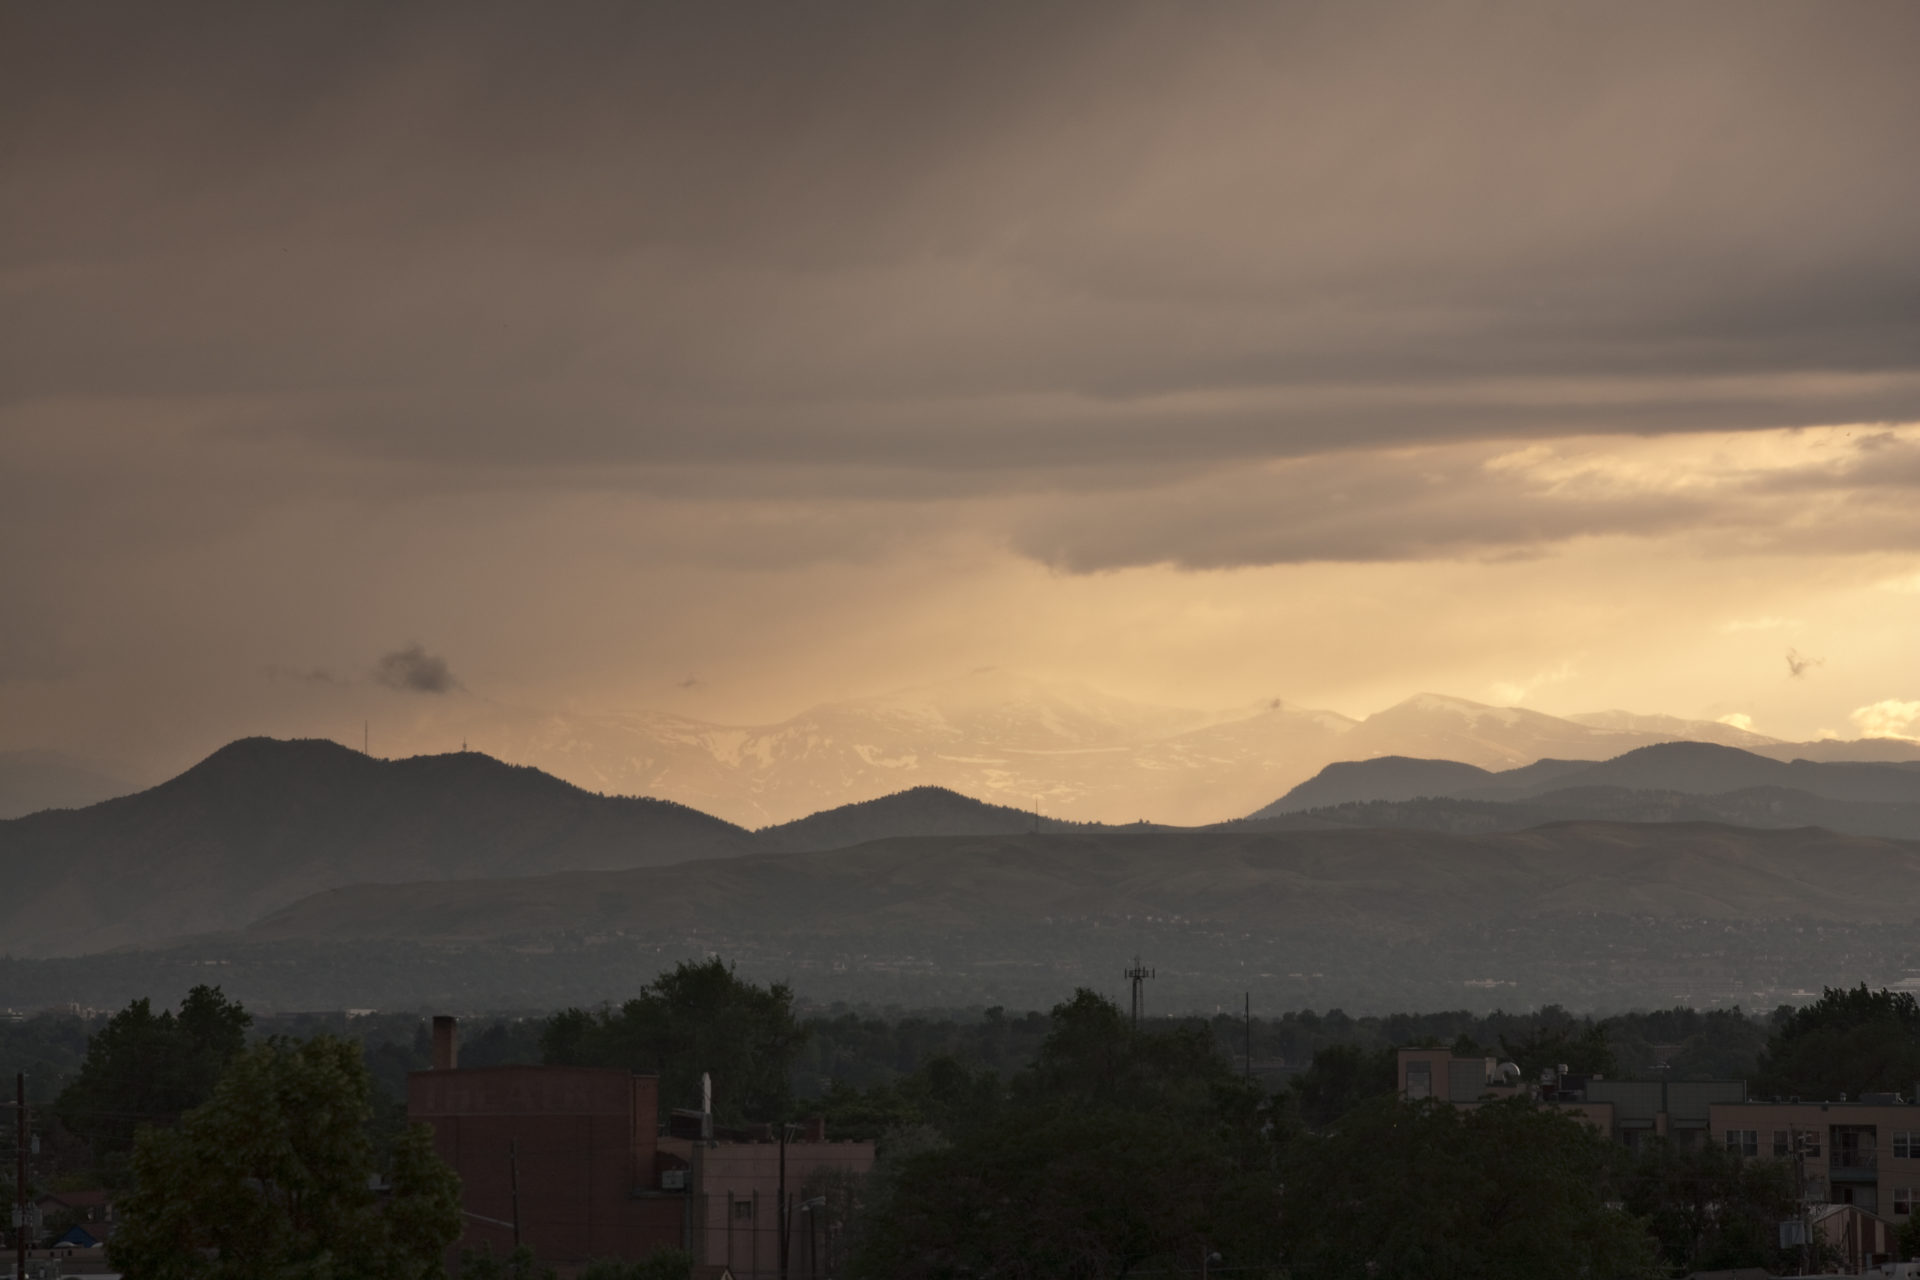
1115	1152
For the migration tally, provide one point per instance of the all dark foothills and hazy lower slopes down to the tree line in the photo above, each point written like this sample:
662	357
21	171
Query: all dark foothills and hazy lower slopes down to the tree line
320	874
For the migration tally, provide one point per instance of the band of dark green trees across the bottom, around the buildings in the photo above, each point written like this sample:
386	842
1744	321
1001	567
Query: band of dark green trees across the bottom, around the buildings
1065	1145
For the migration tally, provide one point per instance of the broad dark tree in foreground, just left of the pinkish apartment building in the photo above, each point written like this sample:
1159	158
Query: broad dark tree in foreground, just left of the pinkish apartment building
1500	1193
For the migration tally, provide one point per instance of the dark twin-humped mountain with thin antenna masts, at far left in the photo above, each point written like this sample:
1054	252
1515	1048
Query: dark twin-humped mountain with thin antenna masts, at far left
264	822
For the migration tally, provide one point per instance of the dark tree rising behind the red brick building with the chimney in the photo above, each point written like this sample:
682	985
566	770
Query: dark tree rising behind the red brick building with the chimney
696	1018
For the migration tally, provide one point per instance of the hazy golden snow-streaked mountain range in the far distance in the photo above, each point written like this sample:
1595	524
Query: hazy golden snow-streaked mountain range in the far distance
1072	753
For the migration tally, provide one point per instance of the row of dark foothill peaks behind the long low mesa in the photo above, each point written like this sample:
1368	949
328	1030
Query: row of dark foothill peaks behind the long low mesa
264	824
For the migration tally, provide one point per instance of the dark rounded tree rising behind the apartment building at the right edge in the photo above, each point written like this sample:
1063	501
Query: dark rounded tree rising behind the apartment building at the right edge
1846	1043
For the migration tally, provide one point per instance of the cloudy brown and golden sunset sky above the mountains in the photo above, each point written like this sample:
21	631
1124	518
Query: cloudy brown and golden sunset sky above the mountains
731	360
